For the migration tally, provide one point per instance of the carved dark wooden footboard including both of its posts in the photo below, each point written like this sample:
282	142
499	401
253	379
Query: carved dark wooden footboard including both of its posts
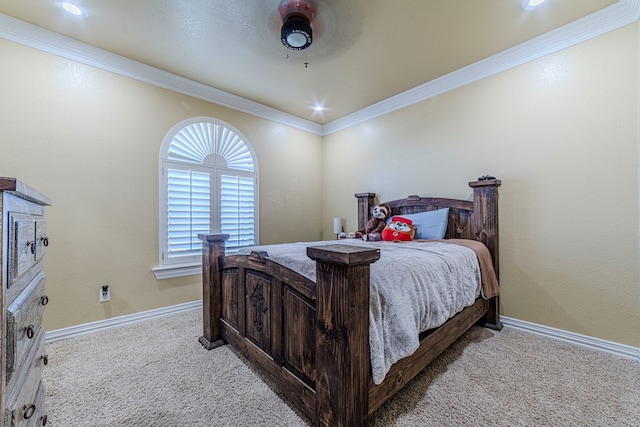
311	339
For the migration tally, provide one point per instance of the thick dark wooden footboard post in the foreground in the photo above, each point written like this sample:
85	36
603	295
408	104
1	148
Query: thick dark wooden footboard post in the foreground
342	333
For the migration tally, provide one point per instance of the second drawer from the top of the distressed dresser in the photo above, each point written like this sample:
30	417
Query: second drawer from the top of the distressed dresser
24	324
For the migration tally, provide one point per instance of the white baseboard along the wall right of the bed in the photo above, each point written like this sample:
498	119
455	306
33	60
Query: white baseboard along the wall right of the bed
622	350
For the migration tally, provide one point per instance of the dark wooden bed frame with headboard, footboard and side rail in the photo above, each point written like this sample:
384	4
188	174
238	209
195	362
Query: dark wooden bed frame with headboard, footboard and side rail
312	339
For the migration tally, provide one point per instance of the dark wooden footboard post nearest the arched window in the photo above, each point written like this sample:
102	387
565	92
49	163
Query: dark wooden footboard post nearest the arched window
212	254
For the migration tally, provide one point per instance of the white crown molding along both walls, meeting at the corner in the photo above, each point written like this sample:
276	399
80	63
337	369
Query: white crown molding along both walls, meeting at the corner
622	13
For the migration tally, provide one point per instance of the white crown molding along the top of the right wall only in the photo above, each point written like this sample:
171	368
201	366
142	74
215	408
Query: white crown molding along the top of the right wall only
611	18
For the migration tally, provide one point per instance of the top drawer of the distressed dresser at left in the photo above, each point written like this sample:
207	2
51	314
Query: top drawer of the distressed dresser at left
27	246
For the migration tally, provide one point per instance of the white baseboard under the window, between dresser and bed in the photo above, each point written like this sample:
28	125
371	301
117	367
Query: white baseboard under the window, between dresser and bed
100	325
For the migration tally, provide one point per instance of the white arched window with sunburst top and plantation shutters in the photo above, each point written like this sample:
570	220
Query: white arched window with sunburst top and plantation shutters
208	183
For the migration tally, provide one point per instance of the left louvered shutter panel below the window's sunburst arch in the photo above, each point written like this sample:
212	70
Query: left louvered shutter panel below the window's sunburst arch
188	210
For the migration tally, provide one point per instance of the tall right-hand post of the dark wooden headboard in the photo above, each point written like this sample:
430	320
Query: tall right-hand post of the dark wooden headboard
485	227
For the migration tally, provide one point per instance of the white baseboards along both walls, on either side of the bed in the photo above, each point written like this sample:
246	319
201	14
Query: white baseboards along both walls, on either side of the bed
625	351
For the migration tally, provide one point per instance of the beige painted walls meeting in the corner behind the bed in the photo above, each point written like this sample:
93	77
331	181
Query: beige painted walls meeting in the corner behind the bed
561	132
